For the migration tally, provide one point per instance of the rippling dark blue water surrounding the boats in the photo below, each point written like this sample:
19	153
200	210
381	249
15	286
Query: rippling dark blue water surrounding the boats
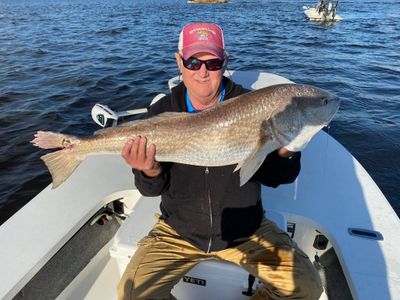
59	58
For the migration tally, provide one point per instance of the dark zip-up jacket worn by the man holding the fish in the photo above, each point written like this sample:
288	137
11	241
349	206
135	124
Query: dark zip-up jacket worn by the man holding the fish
206	205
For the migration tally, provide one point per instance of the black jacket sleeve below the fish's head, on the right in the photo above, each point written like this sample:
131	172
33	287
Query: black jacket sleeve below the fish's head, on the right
277	170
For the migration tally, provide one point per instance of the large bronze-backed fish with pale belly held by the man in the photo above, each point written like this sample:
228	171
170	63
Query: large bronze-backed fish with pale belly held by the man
239	131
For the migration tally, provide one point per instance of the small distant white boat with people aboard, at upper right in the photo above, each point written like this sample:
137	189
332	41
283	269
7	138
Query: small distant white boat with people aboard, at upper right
323	11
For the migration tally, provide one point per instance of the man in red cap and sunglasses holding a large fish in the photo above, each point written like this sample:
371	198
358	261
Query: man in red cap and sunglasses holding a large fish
205	213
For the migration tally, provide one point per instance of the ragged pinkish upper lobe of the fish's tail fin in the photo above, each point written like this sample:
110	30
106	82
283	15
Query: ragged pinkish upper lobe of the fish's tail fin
52	140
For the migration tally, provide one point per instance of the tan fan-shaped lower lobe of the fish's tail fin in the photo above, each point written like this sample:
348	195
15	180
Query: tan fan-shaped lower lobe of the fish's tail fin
61	164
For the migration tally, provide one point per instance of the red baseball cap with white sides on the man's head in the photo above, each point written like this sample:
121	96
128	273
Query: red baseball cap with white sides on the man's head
201	37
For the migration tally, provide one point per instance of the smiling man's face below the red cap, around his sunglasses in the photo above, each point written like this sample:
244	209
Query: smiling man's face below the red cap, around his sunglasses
203	85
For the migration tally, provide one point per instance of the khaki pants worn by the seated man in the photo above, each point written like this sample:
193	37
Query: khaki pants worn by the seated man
163	257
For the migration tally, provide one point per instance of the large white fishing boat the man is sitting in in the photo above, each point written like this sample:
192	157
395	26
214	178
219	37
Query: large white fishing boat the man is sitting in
334	211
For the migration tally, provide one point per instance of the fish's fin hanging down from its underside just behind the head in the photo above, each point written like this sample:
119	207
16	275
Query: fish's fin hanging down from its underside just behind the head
265	145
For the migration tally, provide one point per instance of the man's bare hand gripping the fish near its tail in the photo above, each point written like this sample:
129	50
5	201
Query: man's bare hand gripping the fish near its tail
134	153
